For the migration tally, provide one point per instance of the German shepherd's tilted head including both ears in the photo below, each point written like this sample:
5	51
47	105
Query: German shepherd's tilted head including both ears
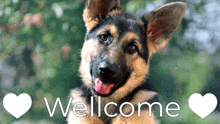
118	45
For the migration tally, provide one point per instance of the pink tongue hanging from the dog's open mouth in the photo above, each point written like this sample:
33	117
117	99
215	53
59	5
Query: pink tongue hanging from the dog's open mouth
102	88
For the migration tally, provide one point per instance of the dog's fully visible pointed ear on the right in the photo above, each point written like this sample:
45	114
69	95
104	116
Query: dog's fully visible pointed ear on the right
161	23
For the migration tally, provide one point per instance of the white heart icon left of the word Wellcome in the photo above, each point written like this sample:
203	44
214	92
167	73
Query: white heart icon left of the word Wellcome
17	105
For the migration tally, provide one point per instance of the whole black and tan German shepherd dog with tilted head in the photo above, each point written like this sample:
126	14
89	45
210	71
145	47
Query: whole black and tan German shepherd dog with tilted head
115	61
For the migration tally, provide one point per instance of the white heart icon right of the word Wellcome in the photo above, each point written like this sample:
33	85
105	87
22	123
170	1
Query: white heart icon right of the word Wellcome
202	105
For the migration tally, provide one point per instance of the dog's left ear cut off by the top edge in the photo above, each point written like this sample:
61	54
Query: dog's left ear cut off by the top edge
96	10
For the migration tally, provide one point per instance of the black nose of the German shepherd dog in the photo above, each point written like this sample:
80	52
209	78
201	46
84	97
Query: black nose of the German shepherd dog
106	69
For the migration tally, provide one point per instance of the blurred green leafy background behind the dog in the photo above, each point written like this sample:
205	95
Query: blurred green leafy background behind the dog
40	42
